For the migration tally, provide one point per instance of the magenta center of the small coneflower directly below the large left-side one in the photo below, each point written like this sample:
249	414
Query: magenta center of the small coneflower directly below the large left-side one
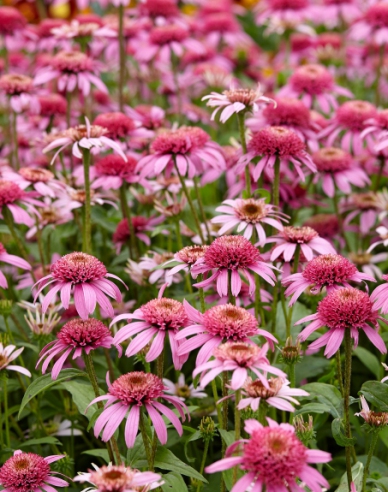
84	333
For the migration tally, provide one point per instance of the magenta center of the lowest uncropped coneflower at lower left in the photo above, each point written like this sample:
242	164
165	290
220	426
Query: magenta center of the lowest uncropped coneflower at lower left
137	388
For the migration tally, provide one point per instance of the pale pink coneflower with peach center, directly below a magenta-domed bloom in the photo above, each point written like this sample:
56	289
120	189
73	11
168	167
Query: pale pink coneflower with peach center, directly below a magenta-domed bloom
238	357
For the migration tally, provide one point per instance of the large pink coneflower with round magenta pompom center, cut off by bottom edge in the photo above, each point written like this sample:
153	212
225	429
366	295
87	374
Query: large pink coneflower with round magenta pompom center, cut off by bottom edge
274	458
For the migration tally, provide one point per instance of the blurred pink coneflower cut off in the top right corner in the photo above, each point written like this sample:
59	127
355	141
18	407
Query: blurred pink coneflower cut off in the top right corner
373	25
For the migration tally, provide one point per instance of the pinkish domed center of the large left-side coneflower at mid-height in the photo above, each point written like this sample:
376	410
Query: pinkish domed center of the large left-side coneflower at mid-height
78	268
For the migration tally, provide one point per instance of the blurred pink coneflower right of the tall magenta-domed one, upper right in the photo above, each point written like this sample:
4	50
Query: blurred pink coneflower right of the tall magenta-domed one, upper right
337	169
